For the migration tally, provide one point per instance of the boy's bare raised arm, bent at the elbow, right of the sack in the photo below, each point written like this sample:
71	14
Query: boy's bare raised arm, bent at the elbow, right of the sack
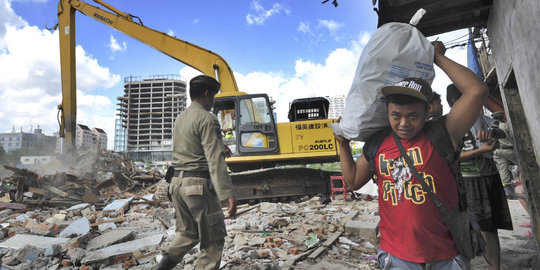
465	111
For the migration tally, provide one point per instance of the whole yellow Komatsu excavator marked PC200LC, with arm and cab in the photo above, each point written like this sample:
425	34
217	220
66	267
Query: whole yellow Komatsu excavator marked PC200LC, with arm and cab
257	142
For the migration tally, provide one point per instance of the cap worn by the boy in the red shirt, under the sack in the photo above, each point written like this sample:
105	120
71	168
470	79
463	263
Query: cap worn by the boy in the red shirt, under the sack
413	87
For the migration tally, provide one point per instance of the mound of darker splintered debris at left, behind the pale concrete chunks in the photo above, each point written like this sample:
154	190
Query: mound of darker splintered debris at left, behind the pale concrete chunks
93	178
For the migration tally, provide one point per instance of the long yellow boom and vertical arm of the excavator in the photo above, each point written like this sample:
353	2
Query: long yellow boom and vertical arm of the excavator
192	55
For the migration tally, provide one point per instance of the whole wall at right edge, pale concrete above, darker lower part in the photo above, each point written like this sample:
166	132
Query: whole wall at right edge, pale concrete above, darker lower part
514	33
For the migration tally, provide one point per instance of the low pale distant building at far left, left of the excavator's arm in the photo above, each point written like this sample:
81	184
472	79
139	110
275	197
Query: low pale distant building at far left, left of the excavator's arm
22	140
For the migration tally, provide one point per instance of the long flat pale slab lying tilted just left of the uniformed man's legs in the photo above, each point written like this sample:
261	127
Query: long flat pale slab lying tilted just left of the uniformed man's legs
122	249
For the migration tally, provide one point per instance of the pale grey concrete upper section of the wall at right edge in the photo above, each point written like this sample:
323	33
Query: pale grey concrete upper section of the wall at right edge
514	32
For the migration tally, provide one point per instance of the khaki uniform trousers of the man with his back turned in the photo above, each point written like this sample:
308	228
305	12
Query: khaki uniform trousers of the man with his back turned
199	219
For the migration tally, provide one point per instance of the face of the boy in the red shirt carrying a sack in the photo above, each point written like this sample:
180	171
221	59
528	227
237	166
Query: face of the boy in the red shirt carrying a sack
407	120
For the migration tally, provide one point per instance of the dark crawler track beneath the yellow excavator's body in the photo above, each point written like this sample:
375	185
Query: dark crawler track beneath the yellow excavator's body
277	183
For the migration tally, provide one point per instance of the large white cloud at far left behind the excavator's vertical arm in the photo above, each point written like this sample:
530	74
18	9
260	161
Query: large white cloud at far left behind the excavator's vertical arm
30	79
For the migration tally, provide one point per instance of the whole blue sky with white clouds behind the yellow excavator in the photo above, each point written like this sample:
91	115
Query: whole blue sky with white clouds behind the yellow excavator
287	49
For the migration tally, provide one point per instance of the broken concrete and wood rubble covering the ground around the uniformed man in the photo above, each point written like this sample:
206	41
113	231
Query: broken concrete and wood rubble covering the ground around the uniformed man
116	218
